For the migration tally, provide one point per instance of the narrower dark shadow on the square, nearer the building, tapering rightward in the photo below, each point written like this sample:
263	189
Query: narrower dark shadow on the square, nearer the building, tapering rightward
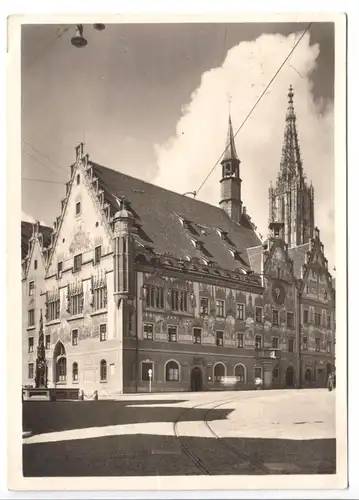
42	417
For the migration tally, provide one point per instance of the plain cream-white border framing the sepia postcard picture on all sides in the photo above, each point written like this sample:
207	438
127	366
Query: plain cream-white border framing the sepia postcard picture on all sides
182	483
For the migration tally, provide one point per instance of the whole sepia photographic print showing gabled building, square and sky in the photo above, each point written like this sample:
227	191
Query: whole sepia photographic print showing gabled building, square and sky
179	258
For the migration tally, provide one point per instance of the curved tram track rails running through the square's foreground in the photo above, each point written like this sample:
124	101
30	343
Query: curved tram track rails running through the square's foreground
191	453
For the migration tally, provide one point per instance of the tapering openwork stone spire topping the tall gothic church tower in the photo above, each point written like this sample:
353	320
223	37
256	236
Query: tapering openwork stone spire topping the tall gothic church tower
291	162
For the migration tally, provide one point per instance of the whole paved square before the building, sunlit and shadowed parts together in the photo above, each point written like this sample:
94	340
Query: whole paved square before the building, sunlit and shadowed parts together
262	432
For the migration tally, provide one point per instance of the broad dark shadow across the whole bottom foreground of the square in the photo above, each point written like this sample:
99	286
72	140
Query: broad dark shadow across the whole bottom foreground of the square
148	455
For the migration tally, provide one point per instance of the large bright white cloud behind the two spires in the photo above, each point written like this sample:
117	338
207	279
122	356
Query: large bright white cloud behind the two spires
201	130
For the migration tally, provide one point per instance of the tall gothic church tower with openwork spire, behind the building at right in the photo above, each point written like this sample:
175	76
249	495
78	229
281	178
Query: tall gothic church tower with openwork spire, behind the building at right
291	201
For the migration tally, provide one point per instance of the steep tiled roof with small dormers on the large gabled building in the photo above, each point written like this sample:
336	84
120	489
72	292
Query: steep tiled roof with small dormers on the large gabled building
169	221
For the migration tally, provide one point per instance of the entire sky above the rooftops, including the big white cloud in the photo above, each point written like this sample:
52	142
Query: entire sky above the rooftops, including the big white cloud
152	100
